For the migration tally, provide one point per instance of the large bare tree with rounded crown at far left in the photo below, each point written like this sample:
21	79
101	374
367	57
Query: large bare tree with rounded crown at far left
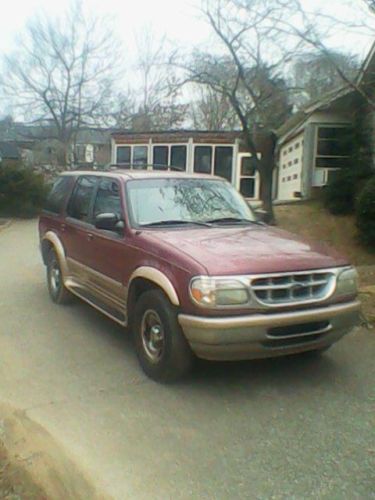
62	73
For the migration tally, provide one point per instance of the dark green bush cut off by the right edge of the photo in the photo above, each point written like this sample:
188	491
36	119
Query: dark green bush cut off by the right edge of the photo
365	213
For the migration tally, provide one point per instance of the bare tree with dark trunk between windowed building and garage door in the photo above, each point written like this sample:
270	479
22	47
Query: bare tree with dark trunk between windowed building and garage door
247	73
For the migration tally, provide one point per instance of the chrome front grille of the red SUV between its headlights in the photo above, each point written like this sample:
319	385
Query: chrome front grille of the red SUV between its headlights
284	289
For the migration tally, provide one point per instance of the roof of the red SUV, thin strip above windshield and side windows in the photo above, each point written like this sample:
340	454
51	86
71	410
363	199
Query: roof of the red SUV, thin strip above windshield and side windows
141	174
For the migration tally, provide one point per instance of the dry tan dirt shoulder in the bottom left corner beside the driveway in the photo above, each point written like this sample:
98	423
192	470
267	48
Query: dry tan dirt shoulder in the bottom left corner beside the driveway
34	466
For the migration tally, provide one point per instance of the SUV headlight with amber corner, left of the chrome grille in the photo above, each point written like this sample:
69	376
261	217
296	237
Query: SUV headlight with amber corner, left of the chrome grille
213	292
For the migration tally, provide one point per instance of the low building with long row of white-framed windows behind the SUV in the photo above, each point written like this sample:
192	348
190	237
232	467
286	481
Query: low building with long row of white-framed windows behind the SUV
217	153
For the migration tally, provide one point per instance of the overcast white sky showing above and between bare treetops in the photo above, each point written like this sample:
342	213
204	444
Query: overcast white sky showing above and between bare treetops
179	20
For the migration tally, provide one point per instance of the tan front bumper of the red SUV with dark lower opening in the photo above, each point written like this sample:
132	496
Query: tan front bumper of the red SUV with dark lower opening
267	335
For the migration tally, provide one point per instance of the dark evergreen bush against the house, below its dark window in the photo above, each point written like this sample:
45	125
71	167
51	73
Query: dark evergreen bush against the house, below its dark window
341	193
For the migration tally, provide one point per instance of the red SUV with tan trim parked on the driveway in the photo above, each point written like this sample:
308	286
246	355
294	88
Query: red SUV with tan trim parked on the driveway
182	261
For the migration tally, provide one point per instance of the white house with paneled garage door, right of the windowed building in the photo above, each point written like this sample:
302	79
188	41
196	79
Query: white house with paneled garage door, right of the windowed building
316	142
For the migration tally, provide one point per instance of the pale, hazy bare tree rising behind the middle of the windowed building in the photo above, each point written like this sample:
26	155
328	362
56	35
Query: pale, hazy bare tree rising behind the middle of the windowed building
152	102
